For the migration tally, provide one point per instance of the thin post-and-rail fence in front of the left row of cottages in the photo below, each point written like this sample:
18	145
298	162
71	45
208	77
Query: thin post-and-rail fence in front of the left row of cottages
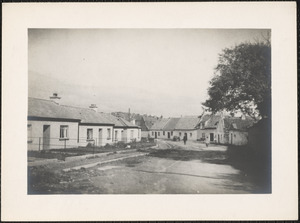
44	143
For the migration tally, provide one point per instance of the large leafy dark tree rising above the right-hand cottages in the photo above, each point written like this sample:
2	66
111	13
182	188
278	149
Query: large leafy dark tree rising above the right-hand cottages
242	80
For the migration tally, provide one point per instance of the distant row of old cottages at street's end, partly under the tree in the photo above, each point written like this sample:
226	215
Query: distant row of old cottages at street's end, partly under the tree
219	129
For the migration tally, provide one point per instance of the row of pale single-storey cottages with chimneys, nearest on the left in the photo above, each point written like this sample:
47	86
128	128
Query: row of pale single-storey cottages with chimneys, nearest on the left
51	125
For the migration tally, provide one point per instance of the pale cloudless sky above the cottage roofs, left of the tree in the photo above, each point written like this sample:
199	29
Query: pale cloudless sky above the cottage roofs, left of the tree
151	71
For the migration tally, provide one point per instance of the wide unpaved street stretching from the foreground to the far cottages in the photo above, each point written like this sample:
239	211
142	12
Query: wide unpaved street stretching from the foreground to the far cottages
170	168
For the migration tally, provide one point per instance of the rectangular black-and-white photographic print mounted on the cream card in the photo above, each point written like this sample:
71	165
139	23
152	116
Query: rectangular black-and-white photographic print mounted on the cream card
149	111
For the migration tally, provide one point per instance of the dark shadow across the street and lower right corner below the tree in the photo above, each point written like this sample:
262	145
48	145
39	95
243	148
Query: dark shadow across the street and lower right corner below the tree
254	168
